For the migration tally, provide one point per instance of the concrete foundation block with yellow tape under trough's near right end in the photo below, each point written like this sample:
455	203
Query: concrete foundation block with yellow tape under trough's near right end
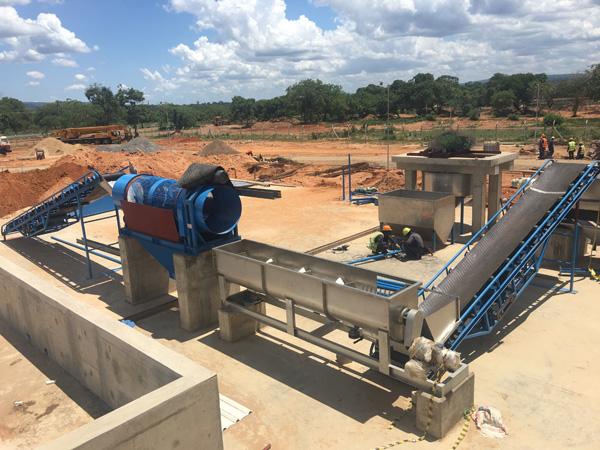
447	410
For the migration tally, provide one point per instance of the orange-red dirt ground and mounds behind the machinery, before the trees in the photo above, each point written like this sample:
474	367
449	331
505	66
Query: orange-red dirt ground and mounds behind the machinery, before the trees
25	181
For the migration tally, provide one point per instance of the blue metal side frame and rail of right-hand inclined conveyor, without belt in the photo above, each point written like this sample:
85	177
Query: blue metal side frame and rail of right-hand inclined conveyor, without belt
494	298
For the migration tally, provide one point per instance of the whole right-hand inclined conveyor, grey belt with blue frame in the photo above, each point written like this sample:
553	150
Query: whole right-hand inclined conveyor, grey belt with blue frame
488	277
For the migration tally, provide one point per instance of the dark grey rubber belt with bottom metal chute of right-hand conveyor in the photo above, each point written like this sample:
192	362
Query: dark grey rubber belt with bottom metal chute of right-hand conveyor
476	268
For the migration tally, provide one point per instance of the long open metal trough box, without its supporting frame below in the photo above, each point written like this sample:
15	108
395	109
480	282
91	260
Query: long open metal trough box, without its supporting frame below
277	272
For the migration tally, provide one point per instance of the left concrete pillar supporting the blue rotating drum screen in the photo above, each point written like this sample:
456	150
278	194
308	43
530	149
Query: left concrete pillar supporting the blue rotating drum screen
145	278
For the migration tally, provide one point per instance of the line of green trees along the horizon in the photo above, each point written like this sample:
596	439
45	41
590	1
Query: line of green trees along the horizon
312	101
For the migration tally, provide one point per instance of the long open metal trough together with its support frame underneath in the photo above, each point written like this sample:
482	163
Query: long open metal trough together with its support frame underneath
301	283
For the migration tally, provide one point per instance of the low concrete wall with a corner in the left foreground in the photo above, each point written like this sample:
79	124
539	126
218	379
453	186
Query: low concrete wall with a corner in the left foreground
161	399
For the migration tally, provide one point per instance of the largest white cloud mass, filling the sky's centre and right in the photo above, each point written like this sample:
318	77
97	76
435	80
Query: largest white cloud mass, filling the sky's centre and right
255	50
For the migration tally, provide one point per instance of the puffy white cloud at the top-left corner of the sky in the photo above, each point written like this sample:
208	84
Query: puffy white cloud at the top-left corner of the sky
31	40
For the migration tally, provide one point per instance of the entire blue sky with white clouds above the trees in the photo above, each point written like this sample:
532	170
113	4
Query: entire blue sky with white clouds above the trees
188	51
